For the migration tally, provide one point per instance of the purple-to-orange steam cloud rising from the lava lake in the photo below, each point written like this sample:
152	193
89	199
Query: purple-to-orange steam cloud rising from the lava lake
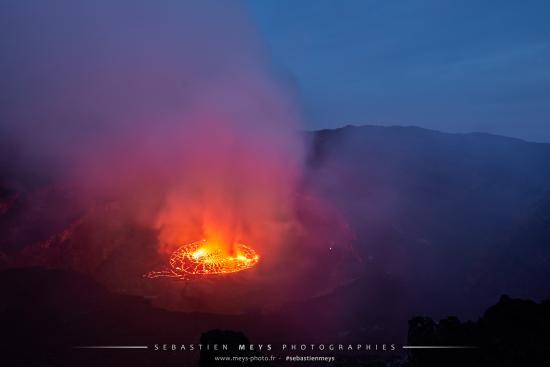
166	107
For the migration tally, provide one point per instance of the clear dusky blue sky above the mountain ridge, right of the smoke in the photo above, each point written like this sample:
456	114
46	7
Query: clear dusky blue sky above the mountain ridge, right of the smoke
455	66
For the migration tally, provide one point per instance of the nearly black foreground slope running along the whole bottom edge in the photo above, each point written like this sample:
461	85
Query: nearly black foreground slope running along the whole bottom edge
46	313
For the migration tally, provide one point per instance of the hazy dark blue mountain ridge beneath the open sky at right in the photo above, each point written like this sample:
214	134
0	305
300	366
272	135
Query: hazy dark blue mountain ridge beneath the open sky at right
451	217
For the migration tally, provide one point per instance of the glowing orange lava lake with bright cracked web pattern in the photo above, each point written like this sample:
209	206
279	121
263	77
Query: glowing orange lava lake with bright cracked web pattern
201	258
